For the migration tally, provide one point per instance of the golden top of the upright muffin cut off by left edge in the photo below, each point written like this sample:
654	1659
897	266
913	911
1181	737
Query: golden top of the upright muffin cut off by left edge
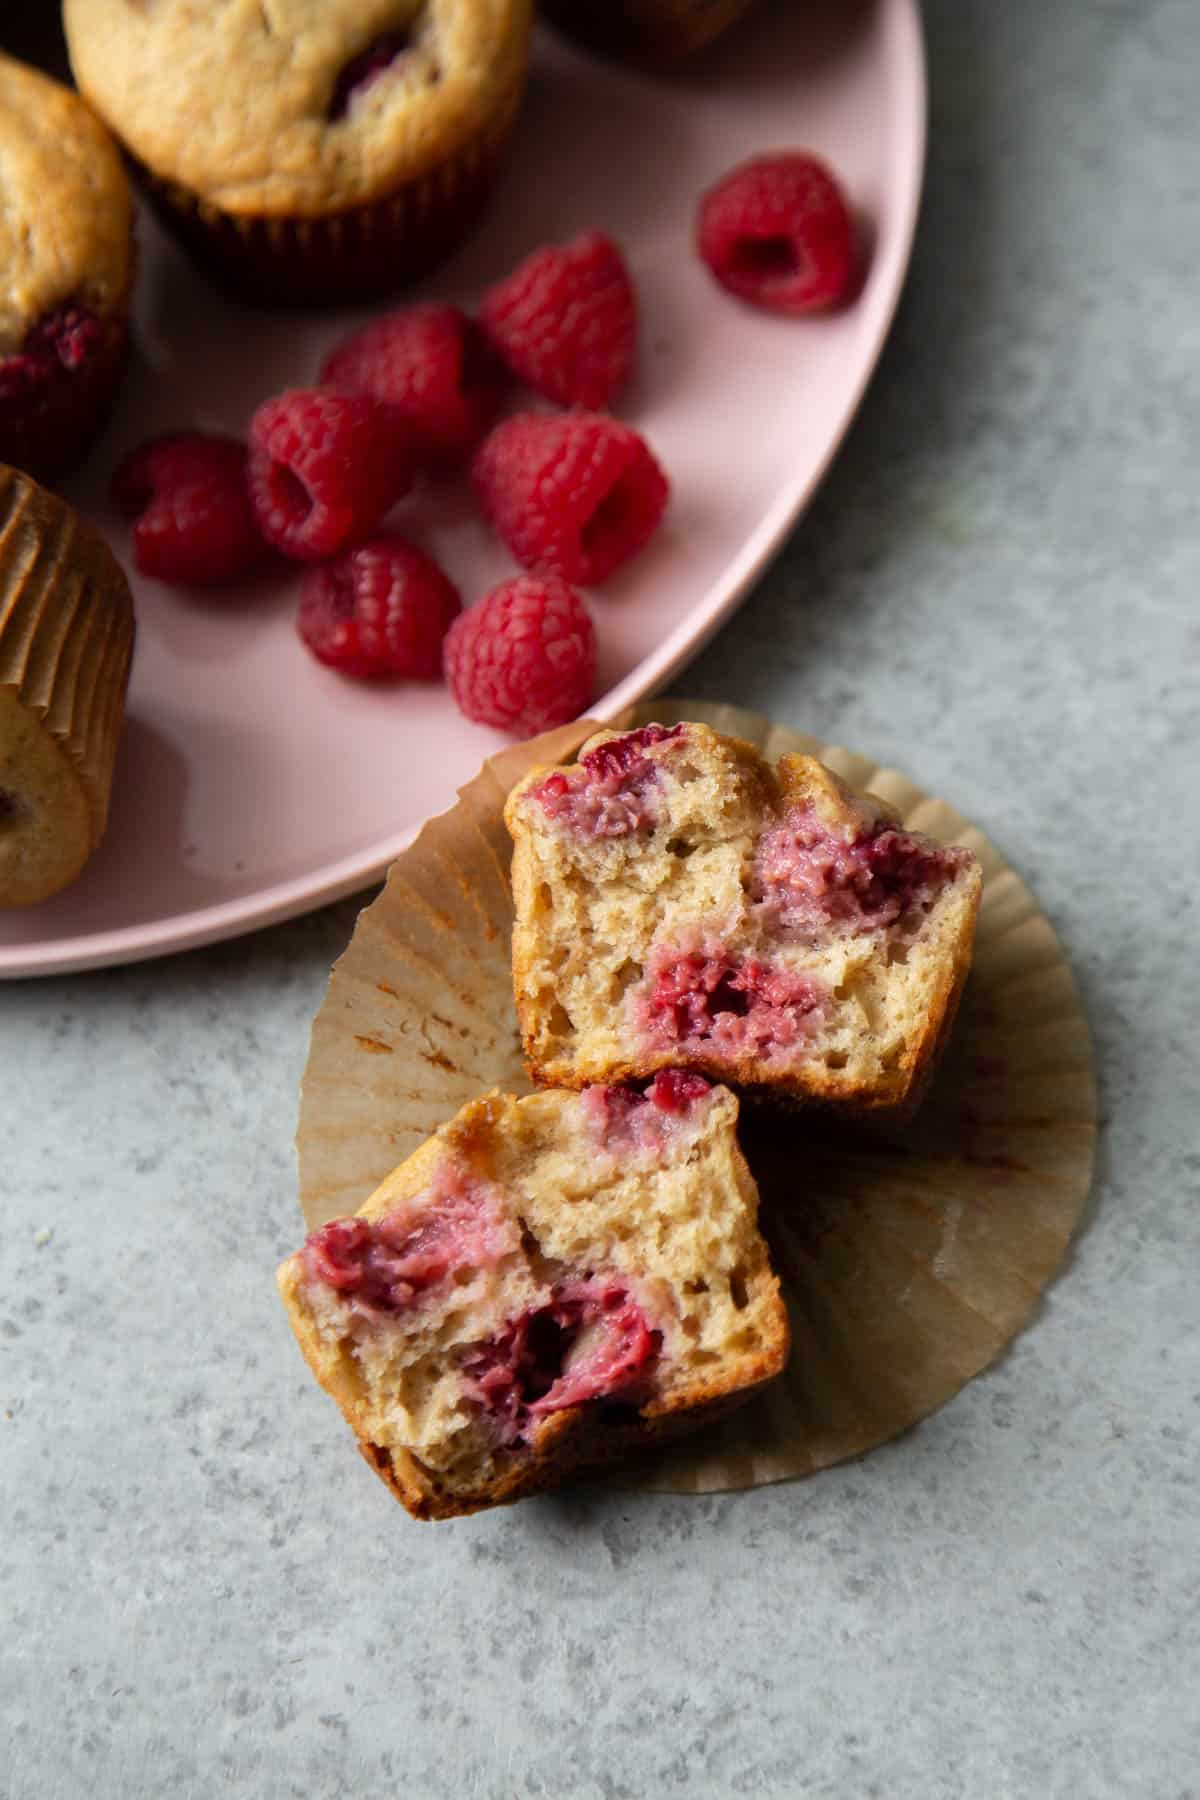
66	210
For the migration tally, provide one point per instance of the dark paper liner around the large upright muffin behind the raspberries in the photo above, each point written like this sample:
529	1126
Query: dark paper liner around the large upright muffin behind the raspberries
352	256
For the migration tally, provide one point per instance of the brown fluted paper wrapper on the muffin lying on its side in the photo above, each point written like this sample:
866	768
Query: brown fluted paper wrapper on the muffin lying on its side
66	633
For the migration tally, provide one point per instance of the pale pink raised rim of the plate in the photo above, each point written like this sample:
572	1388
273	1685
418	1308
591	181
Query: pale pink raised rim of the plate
336	881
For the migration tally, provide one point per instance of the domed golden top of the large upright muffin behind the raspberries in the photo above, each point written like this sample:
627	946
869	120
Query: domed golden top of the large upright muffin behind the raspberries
296	107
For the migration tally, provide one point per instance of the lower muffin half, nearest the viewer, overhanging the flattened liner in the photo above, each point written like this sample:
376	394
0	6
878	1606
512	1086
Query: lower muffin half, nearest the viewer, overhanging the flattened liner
546	1284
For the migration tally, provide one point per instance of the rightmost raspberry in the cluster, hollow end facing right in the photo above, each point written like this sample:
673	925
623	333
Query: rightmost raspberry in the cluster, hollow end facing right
571	496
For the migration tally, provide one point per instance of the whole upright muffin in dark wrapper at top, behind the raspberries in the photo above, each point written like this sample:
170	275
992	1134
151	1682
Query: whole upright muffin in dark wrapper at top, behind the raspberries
314	152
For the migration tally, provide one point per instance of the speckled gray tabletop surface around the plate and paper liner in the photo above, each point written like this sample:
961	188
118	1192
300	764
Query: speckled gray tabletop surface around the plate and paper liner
996	589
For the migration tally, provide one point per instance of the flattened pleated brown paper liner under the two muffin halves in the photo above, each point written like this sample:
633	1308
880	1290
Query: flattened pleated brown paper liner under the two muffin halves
909	1259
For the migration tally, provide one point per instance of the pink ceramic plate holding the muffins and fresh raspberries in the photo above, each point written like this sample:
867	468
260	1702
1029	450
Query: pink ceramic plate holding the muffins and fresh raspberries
253	784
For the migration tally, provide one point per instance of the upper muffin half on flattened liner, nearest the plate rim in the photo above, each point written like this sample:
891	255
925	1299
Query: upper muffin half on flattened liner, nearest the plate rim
683	903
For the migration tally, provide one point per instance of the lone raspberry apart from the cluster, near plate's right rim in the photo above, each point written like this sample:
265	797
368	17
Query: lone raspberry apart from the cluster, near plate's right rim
778	233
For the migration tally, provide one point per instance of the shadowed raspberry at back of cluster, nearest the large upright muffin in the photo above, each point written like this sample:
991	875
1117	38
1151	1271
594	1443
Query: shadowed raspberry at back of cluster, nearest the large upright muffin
433	366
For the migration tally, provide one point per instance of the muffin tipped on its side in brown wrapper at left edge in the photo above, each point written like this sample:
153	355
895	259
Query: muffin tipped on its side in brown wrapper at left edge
66	647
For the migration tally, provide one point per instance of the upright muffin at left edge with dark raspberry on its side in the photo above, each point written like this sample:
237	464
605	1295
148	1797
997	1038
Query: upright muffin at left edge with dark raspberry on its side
66	273
